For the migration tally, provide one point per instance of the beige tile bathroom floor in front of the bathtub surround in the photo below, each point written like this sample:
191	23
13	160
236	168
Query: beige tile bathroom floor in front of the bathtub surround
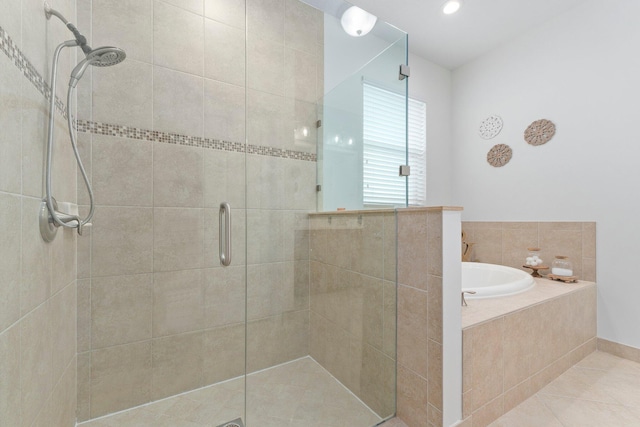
602	390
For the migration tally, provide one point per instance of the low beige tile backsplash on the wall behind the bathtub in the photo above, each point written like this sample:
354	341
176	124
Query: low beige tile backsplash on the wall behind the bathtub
506	243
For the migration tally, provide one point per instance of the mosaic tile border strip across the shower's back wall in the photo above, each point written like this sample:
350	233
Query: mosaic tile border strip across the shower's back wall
86	126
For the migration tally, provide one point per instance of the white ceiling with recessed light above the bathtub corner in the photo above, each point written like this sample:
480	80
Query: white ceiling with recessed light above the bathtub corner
479	26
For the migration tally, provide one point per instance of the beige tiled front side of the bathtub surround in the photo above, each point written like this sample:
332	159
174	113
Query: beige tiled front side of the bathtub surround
508	359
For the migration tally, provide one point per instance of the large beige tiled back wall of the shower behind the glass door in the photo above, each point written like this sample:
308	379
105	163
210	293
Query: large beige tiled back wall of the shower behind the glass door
157	314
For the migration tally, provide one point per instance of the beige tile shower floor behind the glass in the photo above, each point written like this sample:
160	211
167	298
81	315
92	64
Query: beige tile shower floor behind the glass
300	393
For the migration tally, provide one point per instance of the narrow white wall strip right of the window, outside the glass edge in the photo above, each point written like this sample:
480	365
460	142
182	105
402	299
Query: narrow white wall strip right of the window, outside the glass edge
431	84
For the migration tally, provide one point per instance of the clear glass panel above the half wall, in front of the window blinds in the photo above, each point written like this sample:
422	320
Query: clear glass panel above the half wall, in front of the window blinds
349	143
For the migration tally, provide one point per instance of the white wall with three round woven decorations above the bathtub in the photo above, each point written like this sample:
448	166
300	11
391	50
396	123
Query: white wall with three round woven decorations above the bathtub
582	71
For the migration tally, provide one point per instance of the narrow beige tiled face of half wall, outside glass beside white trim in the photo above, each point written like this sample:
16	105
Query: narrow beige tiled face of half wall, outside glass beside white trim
419	386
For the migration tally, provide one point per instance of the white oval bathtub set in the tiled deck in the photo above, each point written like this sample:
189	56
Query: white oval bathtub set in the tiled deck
492	281
